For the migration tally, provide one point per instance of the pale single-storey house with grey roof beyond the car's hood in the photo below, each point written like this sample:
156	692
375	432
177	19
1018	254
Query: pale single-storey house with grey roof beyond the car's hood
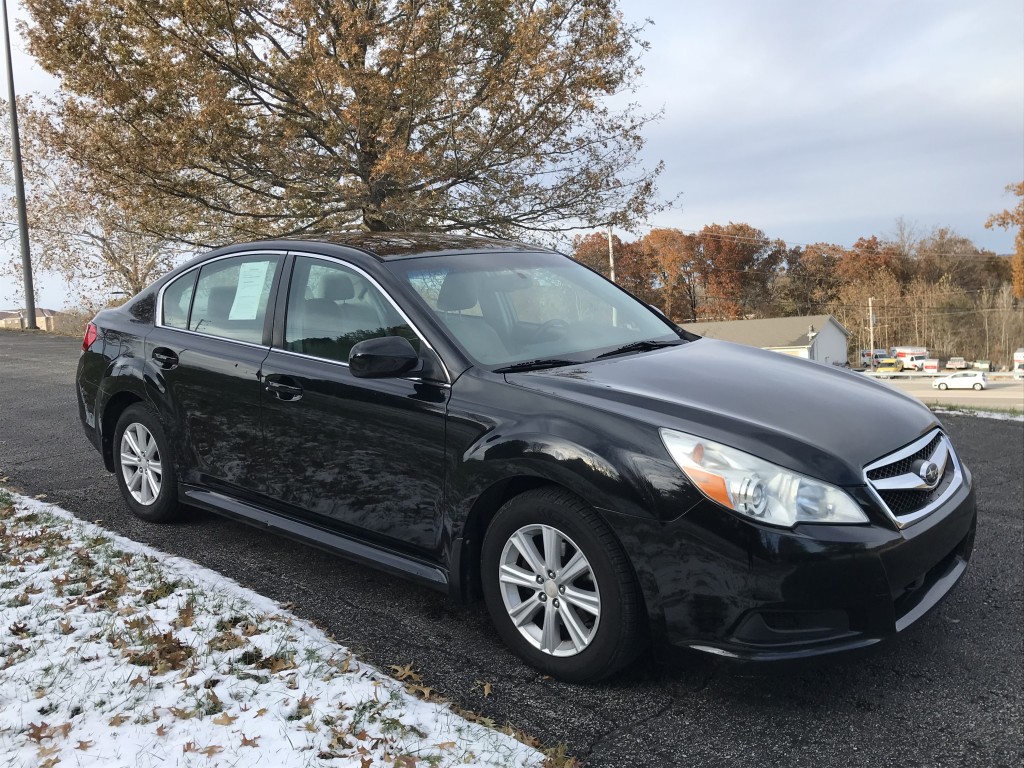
818	337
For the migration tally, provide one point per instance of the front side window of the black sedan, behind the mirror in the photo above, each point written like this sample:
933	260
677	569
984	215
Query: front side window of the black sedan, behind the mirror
332	308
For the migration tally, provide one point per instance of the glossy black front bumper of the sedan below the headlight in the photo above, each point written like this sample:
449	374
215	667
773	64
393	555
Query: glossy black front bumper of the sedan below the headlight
721	585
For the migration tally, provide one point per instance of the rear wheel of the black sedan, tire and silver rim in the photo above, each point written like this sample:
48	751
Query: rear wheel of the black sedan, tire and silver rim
144	466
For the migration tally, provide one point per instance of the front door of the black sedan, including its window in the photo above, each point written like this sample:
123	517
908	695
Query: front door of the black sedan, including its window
363	456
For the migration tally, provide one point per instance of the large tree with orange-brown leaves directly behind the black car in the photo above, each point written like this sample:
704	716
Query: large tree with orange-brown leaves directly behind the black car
301	117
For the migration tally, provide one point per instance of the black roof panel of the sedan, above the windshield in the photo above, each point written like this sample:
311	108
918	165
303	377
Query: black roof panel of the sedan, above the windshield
389	246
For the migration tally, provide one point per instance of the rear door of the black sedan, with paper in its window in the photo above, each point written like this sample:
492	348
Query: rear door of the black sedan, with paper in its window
205	354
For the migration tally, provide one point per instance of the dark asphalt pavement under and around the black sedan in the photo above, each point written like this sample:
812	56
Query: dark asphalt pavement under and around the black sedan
948	693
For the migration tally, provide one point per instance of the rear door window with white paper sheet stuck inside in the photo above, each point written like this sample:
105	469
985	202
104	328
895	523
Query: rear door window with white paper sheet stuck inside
232	297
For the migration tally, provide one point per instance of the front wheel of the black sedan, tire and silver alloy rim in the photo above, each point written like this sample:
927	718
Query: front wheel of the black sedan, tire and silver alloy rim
578	626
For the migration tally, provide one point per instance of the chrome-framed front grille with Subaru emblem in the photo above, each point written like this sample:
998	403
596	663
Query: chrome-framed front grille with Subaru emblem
914	482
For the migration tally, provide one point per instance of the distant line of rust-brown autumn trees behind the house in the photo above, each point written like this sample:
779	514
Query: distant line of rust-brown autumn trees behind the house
941	290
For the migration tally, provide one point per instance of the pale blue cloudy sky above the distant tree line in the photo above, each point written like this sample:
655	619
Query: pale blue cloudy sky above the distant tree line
814	122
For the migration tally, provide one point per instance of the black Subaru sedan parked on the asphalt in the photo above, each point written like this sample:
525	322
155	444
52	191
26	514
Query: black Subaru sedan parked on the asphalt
492	418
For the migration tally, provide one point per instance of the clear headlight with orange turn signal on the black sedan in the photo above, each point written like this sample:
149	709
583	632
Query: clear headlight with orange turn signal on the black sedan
758	489
